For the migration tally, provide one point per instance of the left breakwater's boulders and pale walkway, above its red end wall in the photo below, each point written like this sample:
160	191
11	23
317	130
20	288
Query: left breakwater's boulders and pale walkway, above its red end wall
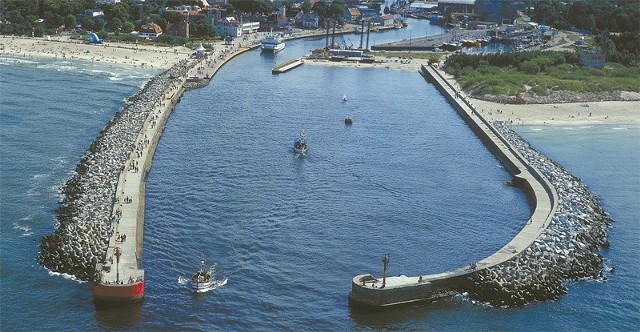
103	202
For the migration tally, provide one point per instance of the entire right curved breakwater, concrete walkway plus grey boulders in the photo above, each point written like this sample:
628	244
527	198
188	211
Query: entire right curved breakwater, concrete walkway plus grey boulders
560	240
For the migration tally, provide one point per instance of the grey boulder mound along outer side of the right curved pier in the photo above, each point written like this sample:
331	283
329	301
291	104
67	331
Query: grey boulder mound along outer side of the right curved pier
569	249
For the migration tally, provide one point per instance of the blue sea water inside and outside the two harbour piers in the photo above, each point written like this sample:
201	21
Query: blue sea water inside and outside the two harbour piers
408	179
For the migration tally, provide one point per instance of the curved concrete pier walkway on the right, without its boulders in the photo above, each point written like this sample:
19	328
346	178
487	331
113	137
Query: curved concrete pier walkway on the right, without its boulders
373	292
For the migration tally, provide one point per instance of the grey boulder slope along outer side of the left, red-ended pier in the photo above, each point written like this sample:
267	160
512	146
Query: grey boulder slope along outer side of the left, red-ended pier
85	215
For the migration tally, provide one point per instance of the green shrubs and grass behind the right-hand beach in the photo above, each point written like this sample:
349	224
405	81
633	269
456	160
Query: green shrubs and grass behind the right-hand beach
538	73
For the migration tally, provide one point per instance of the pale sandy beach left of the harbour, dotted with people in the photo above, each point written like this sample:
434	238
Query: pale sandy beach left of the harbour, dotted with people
64	48
